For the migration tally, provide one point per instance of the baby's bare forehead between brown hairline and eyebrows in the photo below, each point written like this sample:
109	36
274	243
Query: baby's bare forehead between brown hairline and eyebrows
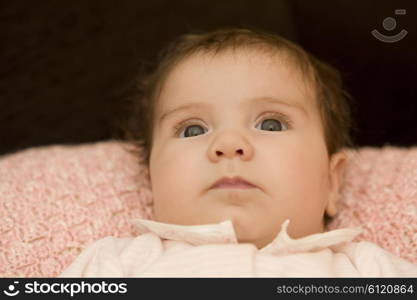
232	76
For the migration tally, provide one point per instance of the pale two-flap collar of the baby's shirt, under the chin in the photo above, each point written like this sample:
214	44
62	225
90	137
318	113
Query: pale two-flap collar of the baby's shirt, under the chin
223	233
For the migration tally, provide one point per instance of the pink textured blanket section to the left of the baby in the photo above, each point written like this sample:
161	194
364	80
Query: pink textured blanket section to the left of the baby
55	200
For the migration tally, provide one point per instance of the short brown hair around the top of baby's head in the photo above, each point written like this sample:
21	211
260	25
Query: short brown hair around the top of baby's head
142	96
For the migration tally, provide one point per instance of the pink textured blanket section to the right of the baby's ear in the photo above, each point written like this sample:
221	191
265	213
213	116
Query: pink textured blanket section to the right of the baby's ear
380	194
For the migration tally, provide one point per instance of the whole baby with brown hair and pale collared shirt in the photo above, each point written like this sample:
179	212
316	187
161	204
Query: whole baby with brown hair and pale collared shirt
243	134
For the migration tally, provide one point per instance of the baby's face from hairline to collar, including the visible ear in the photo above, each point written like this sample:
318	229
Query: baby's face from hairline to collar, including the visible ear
250	115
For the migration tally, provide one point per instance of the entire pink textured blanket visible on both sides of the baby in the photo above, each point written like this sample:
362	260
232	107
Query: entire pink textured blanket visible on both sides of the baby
56	200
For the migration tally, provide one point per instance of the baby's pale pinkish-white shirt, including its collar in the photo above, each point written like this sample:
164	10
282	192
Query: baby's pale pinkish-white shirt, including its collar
166	250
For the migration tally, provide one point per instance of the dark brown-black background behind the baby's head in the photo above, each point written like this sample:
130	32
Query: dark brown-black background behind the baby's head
64	65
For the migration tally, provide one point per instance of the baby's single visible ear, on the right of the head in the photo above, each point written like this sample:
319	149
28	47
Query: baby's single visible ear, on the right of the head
336	170
